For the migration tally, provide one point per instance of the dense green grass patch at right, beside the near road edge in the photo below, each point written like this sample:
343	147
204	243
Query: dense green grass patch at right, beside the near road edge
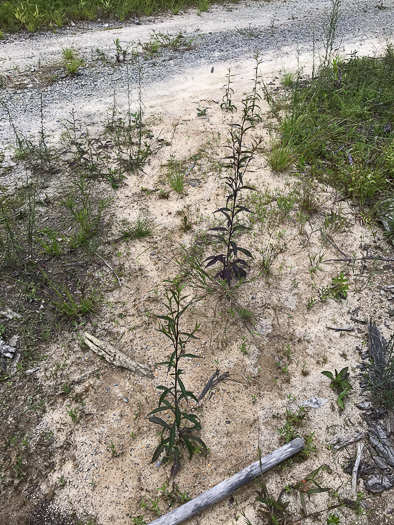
339	126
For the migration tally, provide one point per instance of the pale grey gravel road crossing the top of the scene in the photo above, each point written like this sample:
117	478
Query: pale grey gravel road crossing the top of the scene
282	31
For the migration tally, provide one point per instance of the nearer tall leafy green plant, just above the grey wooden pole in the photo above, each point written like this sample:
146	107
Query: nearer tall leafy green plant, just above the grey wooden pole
184	425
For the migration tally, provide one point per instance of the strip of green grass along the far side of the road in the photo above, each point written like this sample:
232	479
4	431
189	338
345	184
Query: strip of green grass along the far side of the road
16	15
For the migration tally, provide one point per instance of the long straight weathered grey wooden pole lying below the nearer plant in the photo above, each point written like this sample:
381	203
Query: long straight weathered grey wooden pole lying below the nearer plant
230	485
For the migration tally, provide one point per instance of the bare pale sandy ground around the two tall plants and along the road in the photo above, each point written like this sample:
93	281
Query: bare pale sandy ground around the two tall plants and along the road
245	412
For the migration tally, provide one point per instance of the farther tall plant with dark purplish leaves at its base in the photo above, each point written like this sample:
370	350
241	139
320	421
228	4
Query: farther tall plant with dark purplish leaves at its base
238	163
